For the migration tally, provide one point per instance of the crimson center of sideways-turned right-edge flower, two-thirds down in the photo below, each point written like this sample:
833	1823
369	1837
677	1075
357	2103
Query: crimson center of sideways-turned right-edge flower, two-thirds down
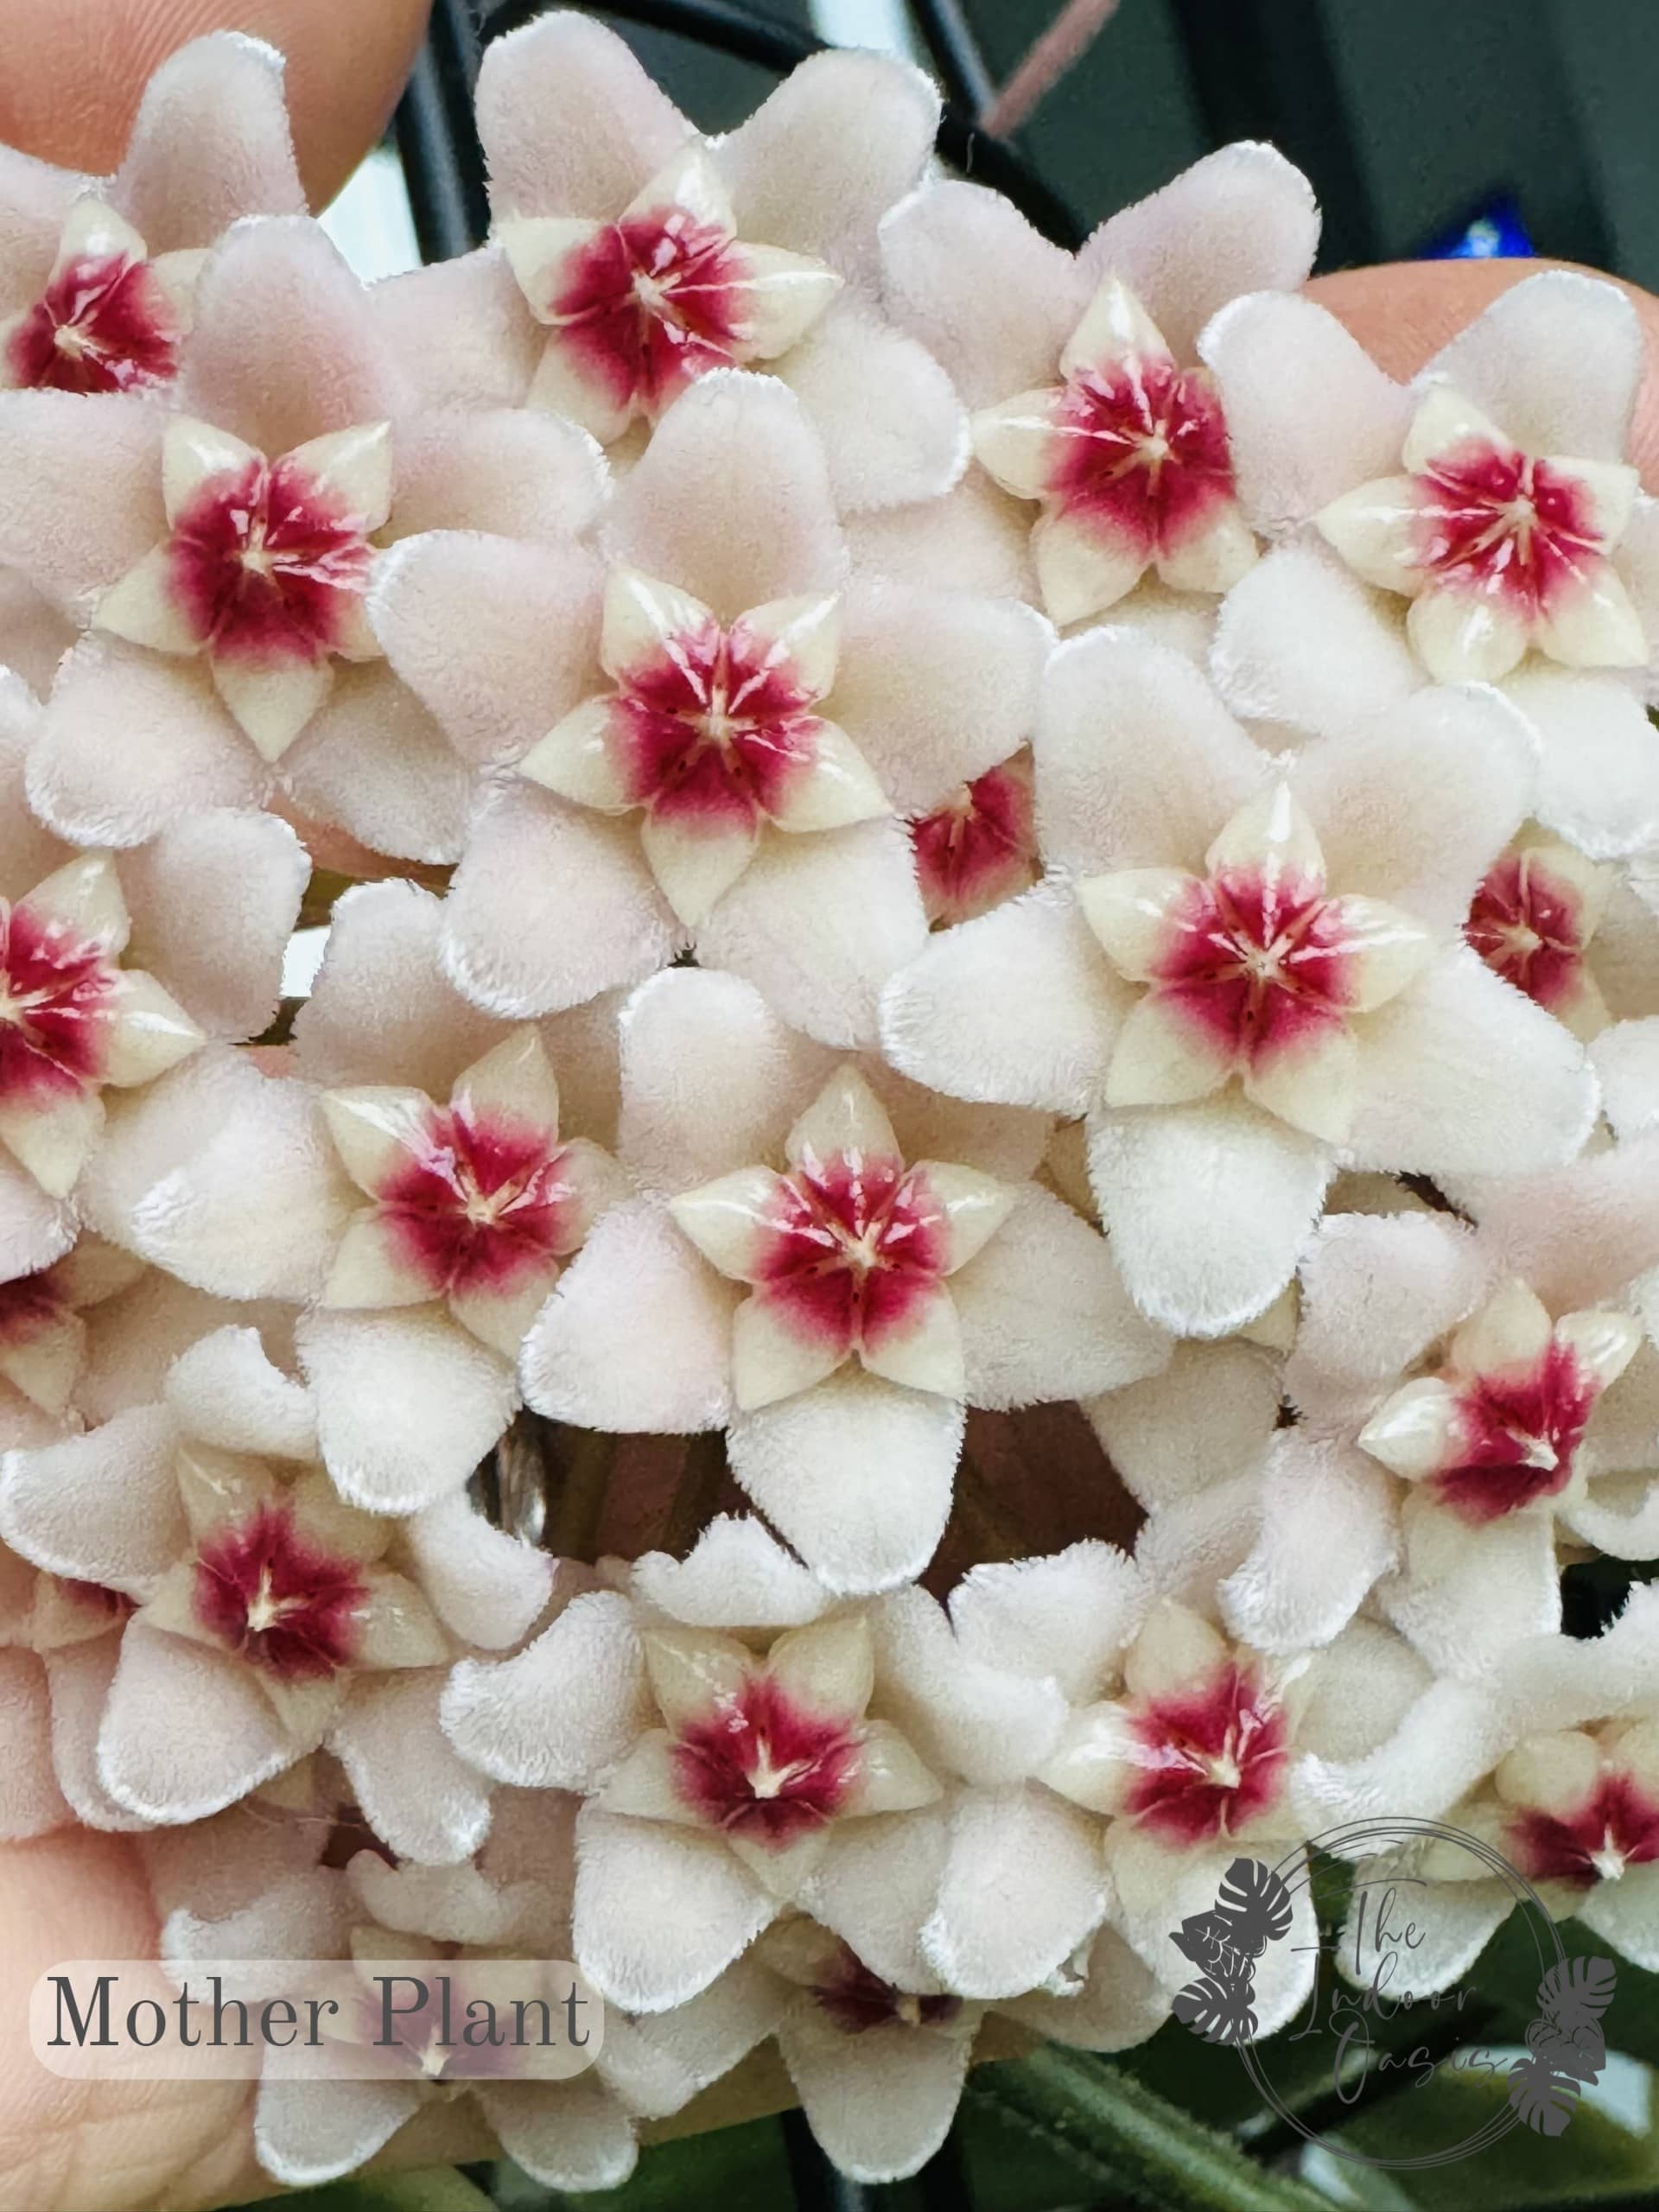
1519	1434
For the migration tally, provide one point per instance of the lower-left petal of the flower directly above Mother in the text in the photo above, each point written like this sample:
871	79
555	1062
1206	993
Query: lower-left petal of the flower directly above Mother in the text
187	1731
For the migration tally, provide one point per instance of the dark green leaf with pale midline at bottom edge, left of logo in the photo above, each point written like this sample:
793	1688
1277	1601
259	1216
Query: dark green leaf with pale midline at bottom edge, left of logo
1129	2142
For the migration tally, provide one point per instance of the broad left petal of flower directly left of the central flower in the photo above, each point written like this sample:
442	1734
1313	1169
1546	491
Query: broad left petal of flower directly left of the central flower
225	1178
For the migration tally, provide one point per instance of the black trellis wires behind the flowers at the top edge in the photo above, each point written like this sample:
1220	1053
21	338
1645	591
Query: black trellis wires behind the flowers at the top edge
446	165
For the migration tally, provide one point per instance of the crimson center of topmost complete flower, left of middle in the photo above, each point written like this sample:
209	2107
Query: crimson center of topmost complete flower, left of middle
651	304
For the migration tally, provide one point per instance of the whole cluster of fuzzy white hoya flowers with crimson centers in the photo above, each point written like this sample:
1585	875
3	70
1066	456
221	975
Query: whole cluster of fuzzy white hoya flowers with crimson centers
915	828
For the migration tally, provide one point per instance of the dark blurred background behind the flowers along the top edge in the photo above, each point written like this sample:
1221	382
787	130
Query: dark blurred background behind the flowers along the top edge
1430	127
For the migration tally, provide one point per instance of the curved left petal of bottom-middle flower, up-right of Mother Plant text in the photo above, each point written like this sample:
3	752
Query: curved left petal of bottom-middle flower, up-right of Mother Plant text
561	1713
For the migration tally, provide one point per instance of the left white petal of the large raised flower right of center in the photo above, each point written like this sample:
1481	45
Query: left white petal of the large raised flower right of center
1019	1008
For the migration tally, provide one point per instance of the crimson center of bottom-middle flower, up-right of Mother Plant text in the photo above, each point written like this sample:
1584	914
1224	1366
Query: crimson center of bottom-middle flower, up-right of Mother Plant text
764	1766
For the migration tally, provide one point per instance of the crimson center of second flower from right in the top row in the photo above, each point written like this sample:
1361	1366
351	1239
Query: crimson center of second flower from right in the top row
1142	448
